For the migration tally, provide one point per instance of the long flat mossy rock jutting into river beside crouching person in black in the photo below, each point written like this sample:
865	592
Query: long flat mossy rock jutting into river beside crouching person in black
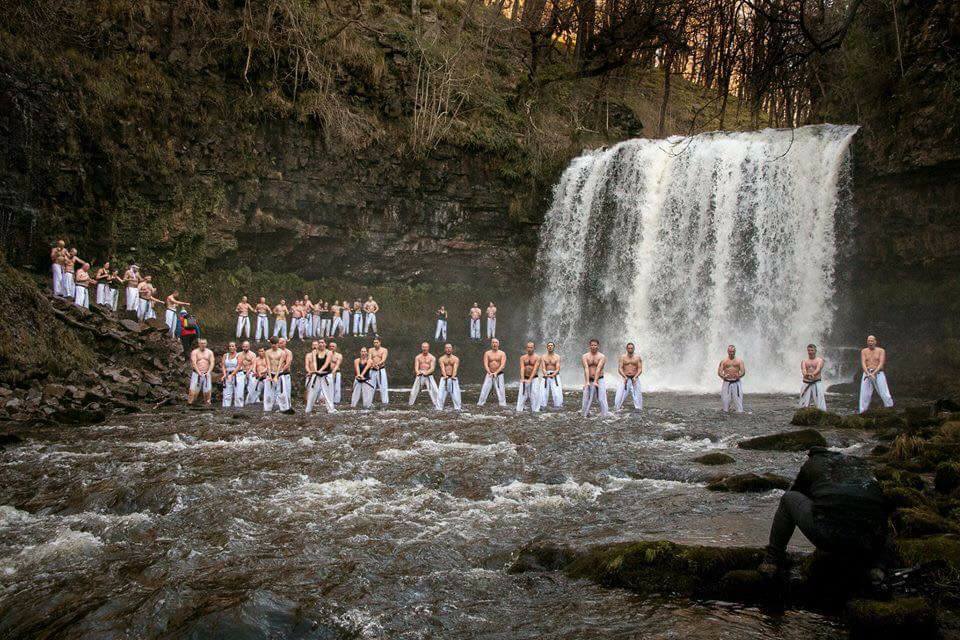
663	567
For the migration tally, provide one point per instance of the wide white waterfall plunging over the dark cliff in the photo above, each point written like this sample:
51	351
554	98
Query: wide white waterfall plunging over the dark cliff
686	245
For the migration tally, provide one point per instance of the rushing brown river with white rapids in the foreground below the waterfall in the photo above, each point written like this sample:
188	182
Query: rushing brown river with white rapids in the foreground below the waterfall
393	524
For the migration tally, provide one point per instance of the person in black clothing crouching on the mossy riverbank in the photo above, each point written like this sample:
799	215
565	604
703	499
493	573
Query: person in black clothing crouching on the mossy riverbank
838	505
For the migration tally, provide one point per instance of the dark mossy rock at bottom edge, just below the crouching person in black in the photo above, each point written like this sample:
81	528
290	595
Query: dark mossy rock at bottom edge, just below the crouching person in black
898	618
